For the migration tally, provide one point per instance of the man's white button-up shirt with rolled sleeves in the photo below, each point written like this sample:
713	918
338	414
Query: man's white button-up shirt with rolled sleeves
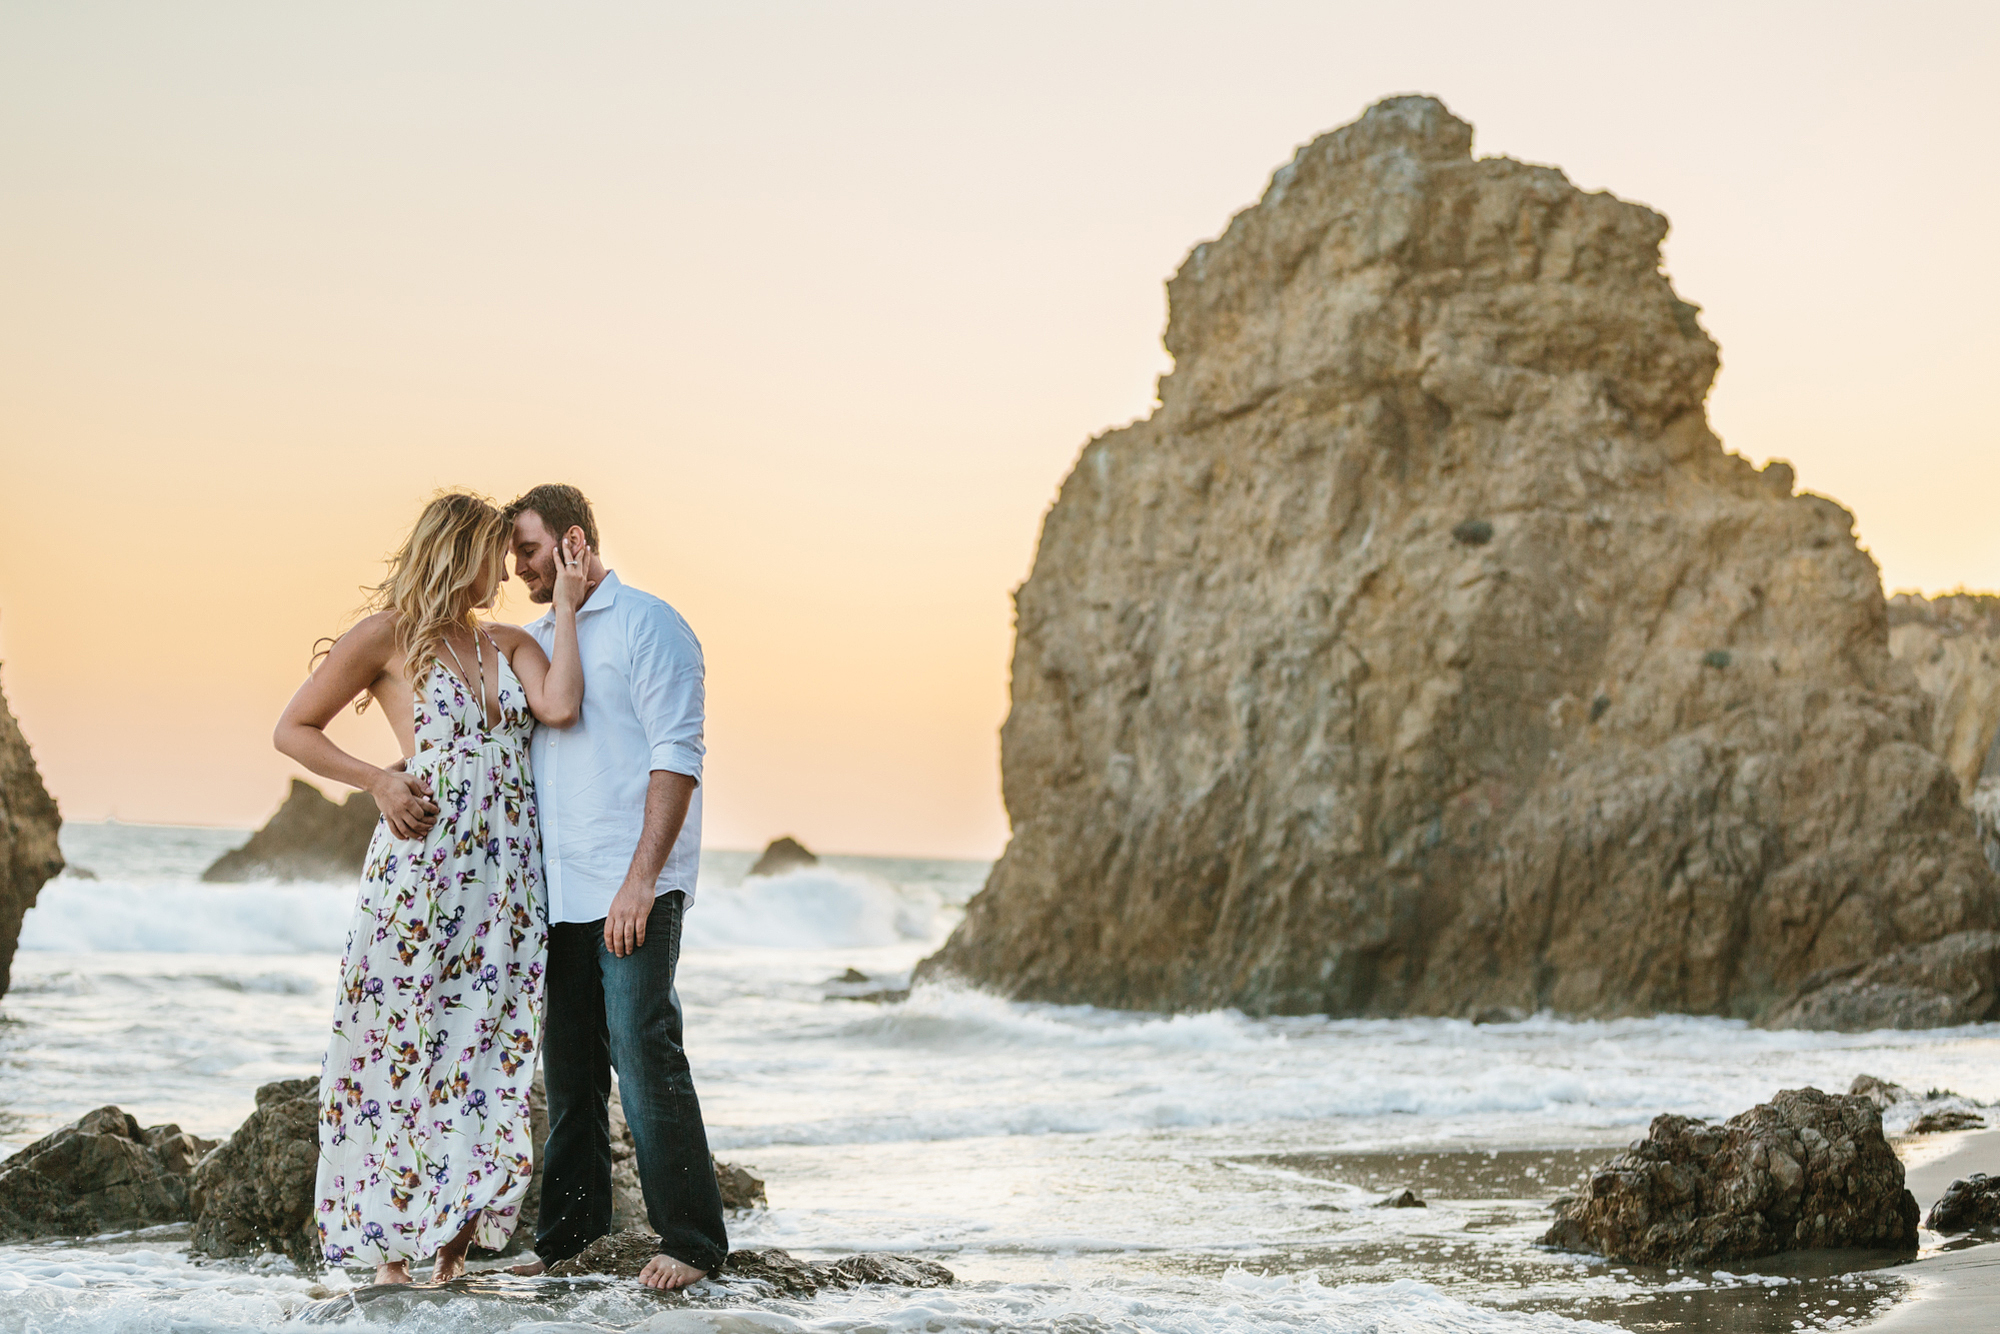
643	711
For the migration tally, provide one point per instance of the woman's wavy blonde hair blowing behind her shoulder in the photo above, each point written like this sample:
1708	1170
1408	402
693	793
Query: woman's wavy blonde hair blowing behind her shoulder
445	571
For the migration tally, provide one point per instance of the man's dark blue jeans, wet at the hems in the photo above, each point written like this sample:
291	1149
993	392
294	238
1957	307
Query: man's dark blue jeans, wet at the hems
623	1013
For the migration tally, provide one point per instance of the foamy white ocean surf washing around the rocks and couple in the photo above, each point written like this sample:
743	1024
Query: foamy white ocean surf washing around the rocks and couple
1081	1171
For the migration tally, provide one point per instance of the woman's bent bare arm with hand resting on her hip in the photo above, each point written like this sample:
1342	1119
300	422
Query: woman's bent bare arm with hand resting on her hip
357	661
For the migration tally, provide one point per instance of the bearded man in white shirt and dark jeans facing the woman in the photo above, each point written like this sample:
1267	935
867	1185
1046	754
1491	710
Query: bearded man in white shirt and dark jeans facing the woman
621	807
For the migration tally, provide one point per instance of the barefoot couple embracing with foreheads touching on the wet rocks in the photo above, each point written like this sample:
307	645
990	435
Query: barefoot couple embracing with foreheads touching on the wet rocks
537	851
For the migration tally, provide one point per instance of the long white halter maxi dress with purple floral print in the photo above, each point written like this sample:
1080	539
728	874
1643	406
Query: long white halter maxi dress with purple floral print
425	1089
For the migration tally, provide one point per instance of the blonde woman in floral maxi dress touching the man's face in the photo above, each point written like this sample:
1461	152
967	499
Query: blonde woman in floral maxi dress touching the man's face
425	1141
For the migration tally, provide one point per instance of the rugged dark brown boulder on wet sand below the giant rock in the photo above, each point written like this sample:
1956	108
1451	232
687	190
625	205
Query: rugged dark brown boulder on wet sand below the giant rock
1805	1171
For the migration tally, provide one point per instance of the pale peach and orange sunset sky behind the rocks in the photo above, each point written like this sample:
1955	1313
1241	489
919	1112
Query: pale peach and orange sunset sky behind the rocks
819	305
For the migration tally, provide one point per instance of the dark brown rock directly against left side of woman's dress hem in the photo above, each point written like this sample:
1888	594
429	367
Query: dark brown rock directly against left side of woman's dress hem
255	1193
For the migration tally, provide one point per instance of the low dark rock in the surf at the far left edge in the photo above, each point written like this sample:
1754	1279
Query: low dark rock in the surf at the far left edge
99	1175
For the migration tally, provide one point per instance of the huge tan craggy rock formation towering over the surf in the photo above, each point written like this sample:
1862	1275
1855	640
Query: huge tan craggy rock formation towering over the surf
1427	653
